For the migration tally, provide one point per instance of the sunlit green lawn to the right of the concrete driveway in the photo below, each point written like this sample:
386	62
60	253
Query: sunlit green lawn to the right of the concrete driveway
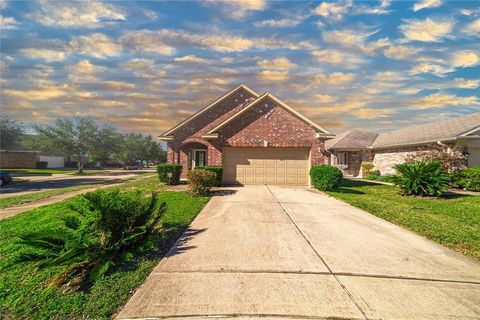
452	221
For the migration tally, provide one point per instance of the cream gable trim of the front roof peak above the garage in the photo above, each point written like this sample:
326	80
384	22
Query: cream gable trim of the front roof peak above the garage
322	132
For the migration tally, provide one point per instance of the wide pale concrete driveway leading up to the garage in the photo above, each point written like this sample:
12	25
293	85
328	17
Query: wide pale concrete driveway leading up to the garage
275	252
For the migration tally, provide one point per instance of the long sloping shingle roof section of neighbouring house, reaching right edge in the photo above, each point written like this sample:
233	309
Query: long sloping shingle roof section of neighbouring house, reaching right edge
440	130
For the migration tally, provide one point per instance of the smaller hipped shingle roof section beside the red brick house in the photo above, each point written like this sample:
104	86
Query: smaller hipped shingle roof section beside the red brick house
352	139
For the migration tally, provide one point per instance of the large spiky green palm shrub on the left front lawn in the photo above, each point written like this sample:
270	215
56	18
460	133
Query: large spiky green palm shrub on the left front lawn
107	224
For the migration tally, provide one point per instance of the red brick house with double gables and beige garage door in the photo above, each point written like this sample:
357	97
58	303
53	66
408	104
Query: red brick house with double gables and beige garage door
257	139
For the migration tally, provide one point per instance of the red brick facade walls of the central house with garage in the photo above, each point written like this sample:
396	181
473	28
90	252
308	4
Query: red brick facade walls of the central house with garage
263	123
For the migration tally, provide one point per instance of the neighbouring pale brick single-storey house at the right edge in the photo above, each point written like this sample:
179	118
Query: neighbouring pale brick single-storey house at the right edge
350	149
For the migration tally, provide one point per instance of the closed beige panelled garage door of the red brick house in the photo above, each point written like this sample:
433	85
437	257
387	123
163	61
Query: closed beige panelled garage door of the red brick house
280	166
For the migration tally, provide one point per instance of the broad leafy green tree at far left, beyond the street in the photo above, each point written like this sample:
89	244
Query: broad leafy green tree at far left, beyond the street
81	138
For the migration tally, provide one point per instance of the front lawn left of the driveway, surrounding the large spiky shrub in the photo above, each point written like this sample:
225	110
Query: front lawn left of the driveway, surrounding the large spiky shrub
24	289
